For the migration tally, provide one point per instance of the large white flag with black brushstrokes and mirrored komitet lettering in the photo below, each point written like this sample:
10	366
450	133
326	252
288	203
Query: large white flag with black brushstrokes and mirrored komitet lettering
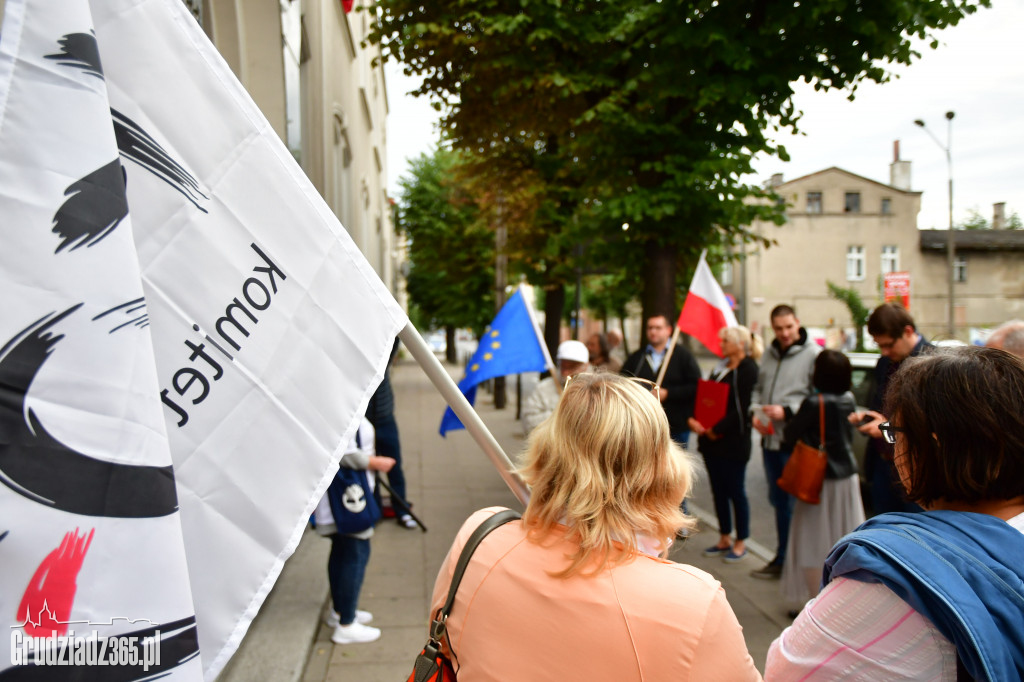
188	338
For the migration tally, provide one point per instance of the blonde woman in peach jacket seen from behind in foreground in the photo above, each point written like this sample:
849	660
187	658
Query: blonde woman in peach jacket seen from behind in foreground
580	589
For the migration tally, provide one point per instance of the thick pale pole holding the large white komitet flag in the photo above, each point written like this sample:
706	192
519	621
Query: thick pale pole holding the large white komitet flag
463	410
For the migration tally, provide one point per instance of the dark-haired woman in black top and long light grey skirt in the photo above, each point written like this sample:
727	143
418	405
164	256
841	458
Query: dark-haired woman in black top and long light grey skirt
817	528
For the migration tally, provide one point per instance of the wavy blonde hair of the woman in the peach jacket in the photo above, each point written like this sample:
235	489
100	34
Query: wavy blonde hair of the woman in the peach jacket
606	466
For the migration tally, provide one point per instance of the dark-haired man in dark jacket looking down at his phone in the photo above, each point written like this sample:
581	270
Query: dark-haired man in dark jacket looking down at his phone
893	330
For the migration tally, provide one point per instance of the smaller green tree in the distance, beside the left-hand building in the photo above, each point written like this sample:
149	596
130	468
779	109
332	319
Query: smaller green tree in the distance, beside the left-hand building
451	249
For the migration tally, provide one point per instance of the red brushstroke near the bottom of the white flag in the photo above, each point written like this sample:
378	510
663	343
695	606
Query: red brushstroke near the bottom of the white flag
46	608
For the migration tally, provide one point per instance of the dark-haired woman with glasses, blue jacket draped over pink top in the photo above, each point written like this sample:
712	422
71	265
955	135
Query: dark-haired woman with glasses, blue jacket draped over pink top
936	595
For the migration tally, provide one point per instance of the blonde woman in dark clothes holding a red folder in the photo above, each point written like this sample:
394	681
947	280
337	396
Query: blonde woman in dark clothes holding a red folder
726	443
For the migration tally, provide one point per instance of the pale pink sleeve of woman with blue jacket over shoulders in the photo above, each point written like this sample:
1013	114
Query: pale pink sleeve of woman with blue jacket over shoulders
861	631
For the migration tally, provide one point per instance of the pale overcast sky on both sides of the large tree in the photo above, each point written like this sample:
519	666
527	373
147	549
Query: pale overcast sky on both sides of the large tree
977	72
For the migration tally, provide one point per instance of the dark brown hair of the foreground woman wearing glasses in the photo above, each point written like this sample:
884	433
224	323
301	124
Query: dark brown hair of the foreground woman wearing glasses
962	411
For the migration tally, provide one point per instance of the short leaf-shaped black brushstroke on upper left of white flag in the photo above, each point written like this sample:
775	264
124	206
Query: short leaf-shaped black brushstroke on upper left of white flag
96	206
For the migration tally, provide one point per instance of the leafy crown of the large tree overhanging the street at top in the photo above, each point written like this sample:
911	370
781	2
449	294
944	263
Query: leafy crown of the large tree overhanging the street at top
654	112
